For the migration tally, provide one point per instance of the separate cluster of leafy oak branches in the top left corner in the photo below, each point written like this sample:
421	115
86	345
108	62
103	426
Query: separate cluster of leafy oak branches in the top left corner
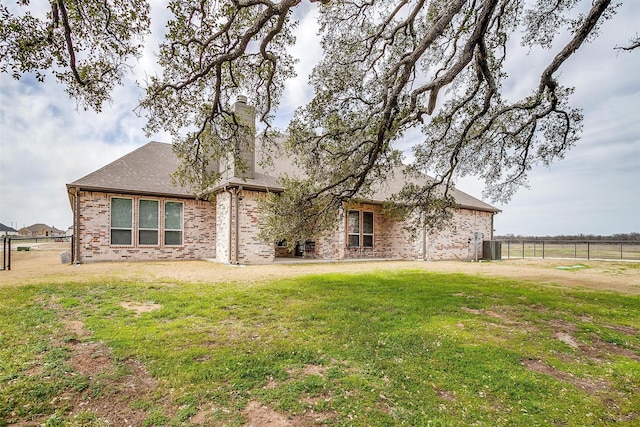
87	45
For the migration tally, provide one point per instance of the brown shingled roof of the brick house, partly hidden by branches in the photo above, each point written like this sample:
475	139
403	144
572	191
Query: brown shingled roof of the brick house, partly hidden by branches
147	171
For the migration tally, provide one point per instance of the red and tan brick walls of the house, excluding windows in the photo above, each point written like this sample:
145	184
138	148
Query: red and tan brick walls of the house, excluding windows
209	230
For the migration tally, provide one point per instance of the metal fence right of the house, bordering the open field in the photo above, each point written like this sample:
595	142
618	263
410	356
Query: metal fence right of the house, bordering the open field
607	250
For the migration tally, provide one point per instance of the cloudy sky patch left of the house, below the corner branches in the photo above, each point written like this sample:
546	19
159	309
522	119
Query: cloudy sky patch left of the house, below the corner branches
45	143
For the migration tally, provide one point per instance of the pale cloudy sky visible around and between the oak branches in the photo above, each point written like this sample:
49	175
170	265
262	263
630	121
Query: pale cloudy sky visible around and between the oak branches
47	142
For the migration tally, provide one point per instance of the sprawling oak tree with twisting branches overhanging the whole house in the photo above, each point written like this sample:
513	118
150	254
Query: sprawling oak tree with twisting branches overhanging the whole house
388	68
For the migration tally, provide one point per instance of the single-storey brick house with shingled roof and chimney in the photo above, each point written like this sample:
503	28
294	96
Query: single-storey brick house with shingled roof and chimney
131	210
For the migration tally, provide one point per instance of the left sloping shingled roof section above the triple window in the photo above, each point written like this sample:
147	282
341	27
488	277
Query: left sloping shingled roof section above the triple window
146	171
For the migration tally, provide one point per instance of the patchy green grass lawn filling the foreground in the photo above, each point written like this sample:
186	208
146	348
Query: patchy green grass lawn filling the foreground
389	348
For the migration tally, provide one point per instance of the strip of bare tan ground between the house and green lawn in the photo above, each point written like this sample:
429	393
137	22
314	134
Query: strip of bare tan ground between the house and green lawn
42	265
